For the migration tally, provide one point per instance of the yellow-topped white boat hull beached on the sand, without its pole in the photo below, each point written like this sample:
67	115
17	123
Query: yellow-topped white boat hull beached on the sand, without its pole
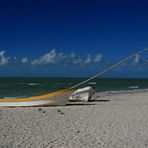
52	99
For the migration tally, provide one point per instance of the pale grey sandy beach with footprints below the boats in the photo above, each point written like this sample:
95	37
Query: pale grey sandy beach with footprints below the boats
110	120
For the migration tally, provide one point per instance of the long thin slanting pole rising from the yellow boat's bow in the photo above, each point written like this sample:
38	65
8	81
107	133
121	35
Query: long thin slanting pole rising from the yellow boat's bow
110	68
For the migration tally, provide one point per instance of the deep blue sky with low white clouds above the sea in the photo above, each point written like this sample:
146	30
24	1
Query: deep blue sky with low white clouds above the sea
72	38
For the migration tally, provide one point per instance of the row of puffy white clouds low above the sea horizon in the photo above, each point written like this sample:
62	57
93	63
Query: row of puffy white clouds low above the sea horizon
54	57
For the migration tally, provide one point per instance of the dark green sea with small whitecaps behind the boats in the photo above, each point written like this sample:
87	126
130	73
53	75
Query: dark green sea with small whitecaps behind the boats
24	87
